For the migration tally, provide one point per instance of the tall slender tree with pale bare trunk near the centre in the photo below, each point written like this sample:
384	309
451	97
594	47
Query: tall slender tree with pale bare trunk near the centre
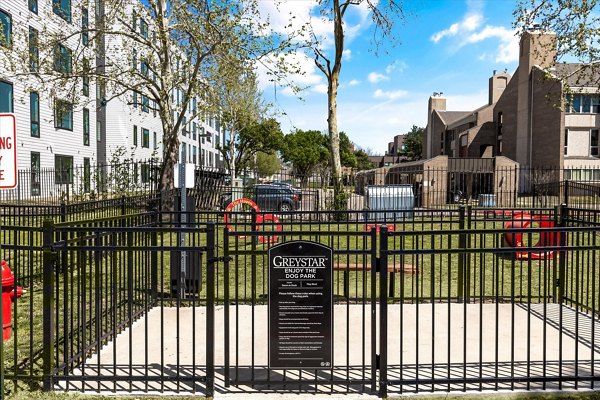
384	16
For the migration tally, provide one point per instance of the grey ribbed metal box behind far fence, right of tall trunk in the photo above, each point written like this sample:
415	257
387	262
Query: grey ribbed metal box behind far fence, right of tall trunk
389	203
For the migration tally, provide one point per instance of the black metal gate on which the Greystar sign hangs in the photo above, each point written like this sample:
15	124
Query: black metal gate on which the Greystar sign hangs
253	359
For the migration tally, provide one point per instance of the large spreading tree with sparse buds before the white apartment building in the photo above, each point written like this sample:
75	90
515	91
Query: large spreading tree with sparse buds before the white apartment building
160	52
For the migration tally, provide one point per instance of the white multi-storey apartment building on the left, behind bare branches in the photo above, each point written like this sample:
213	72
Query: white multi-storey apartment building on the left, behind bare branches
91	125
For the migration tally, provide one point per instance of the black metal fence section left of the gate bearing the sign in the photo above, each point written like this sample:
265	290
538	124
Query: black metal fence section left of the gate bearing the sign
121	315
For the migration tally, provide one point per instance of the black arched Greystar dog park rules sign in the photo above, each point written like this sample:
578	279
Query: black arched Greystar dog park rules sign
300	306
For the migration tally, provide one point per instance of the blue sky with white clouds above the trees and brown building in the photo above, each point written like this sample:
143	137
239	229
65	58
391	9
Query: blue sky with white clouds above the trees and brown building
449	46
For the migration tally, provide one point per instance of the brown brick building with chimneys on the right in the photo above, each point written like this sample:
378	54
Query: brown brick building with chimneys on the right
526	118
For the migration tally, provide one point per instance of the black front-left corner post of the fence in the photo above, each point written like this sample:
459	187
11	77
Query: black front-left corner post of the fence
49	258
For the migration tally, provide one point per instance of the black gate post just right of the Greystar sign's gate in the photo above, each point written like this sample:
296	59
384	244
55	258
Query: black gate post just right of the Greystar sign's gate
383	299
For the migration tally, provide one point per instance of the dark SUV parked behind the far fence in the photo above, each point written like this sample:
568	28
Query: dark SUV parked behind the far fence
269	197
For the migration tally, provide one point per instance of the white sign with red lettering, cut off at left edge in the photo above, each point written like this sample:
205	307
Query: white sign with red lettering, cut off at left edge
8	151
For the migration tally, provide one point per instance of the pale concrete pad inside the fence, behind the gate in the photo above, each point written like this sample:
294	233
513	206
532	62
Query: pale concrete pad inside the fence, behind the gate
166	348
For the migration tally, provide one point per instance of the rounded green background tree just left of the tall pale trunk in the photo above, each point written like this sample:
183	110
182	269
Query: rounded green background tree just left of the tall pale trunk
305	150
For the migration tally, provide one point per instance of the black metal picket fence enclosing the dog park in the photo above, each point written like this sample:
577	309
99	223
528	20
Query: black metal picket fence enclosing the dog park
465	299
